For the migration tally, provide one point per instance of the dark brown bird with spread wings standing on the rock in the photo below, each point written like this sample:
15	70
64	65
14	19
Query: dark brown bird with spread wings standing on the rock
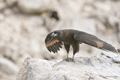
69	37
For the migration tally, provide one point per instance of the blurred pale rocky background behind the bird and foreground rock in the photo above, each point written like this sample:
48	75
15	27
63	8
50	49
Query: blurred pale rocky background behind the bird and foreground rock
24	25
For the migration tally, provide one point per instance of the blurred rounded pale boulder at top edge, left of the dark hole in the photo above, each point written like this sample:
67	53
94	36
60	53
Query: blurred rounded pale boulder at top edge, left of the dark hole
36	6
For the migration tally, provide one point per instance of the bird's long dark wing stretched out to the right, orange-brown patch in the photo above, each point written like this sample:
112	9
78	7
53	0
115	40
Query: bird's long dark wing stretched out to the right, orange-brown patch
93	41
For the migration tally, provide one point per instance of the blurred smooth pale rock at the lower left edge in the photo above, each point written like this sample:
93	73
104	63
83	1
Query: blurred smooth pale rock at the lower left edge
8	67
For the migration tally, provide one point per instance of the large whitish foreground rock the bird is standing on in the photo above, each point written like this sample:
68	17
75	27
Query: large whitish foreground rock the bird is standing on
97	68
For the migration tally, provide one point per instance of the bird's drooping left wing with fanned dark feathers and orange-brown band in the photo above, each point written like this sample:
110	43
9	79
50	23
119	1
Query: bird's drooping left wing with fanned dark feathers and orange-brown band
53	45
